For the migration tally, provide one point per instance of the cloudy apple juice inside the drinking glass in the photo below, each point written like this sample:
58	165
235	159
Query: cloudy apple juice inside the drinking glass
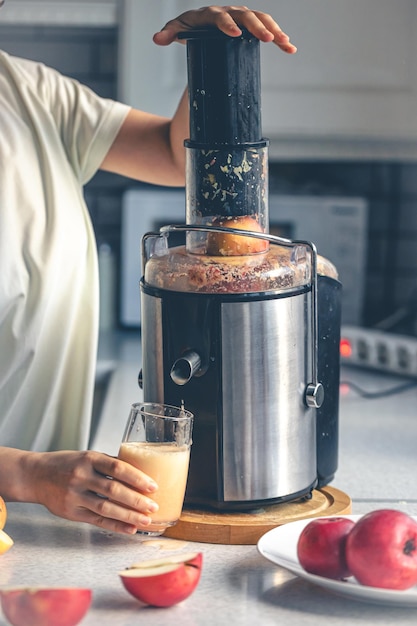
167	464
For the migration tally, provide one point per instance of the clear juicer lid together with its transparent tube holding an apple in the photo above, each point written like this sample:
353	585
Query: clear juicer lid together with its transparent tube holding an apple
227	248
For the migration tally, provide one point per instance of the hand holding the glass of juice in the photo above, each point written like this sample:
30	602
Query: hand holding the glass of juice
86	487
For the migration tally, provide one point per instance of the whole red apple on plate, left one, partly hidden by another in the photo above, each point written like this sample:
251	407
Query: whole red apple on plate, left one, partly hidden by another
321	546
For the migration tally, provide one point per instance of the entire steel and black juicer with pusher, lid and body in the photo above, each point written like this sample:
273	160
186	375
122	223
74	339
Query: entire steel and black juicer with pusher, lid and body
241	326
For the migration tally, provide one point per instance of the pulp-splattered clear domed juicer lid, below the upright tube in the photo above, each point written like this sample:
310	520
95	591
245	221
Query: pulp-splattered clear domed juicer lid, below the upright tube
285	266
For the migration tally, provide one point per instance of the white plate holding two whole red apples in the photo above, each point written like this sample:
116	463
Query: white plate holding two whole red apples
279	545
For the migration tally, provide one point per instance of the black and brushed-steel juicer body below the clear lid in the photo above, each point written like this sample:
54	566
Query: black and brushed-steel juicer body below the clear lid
255	440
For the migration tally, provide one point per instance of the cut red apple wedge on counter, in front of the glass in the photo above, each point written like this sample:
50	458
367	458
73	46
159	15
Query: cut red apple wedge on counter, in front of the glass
163	582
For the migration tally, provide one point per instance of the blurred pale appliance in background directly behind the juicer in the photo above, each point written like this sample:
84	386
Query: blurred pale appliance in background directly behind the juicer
337	225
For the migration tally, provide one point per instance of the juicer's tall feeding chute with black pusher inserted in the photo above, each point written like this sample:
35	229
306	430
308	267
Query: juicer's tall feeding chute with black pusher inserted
226	155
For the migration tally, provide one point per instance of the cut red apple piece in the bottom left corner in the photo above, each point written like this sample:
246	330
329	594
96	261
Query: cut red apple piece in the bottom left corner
37	606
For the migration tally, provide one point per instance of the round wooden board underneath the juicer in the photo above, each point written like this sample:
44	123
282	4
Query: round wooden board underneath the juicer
247	528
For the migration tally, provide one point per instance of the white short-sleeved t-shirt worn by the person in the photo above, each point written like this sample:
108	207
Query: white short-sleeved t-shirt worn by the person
54	134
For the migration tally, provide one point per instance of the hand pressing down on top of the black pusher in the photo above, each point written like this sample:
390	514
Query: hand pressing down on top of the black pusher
228	19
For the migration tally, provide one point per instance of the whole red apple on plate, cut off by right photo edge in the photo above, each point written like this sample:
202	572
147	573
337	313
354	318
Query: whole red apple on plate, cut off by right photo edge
381	550
